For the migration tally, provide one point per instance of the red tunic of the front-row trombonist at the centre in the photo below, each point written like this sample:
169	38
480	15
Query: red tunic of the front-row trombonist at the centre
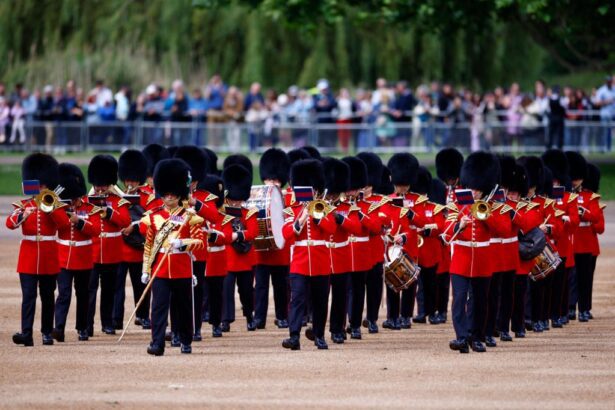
310	255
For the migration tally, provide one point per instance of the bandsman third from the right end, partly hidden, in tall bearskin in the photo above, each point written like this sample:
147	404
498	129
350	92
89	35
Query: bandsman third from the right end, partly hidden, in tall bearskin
557	162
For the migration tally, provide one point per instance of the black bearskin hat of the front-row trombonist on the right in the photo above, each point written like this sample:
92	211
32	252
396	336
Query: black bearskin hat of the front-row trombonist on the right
480	171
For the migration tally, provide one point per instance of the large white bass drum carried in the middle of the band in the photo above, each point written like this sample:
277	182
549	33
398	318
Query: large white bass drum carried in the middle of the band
269	201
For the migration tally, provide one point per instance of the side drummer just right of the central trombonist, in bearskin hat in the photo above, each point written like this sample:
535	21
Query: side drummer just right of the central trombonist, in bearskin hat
407	220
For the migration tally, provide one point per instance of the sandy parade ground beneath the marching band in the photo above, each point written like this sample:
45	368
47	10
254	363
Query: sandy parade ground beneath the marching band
560	369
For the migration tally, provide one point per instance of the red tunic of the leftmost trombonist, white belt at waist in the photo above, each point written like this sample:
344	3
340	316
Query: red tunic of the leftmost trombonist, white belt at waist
38	251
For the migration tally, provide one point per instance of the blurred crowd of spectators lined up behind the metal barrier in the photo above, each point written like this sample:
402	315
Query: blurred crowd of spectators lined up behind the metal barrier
390	115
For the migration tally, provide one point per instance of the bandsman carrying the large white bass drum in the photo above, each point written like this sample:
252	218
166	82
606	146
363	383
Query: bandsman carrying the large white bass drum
274	167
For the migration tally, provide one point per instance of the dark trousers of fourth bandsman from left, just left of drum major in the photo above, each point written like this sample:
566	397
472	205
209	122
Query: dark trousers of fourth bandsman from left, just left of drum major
135	269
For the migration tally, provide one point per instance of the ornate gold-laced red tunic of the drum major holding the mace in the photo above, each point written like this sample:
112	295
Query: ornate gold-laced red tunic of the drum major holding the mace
178	262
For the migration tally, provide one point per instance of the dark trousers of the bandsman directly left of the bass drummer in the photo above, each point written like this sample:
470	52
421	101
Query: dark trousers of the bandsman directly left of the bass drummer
245	280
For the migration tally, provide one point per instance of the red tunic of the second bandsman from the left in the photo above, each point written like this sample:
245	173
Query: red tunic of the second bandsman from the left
75	241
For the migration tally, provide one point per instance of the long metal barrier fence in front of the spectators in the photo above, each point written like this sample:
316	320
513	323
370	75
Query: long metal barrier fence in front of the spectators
59	137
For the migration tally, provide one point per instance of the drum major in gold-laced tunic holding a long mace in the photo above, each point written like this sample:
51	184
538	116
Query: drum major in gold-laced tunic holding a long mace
172	233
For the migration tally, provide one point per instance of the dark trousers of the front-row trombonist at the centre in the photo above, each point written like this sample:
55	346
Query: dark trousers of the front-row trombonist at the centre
319	295
